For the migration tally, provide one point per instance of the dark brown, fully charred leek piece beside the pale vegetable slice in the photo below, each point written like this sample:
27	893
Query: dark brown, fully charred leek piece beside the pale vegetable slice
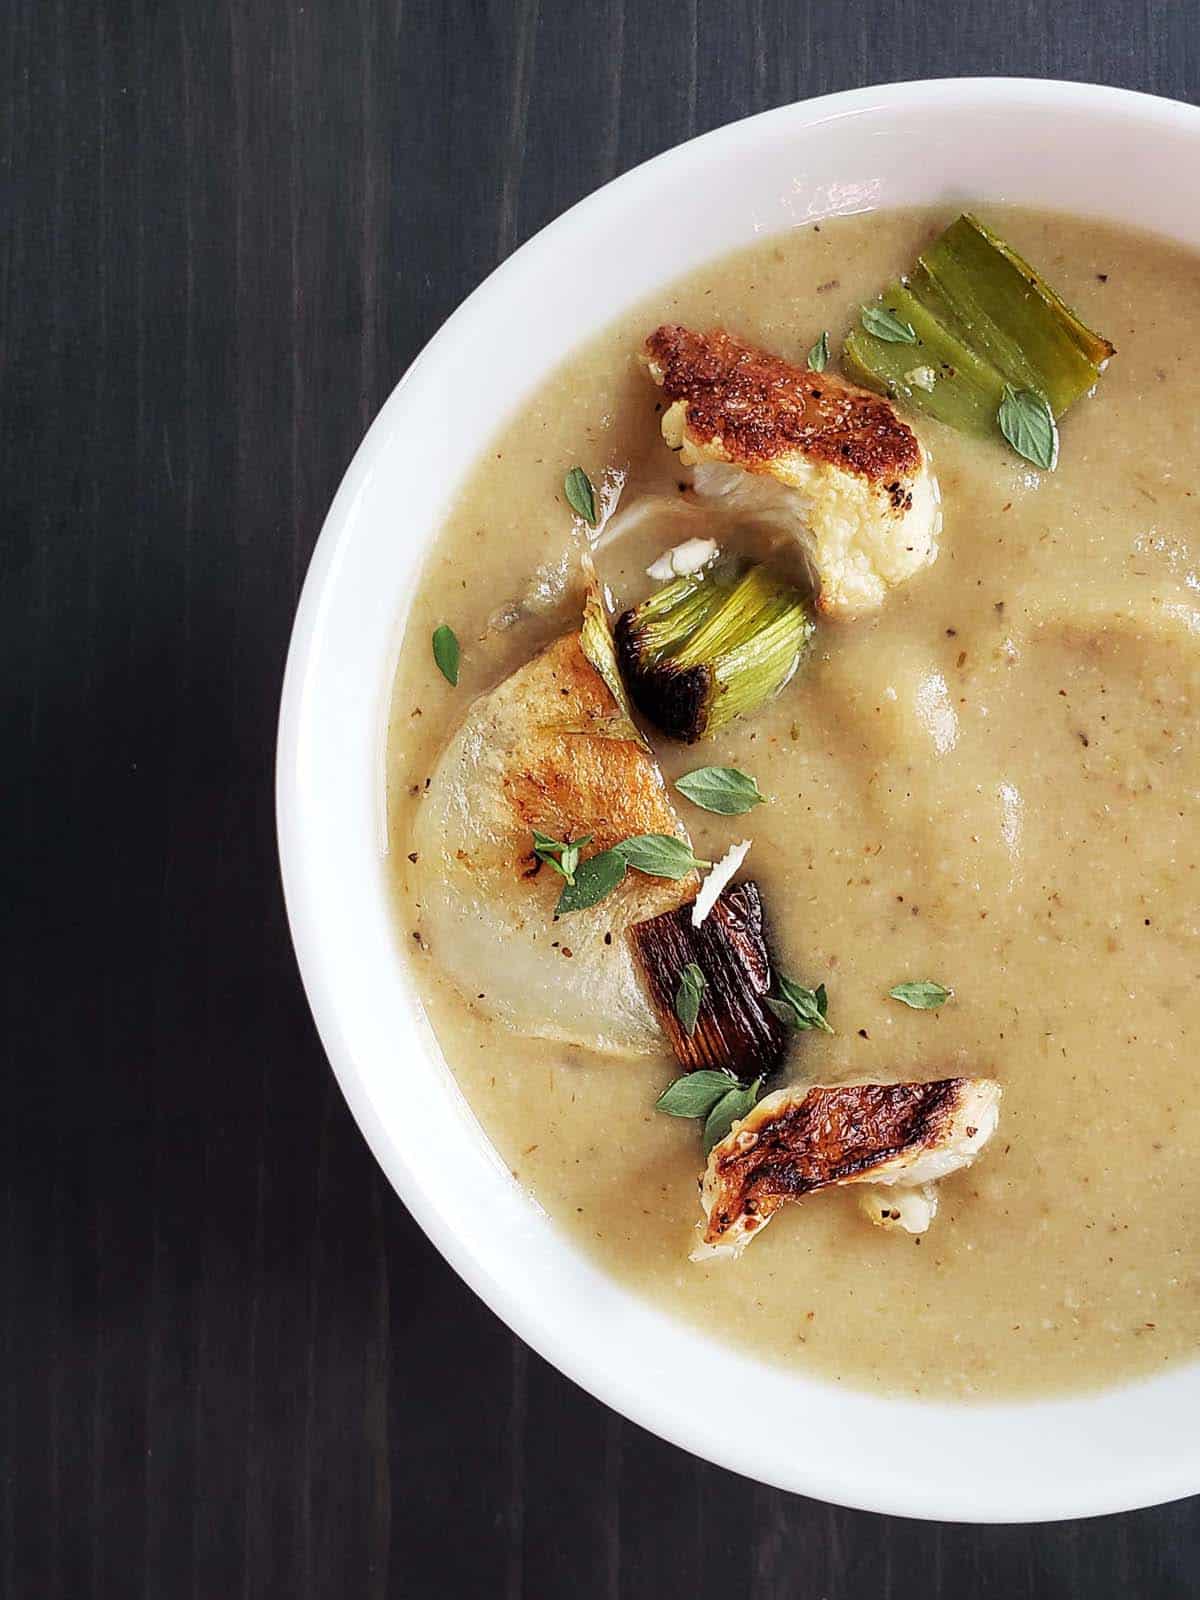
735	1031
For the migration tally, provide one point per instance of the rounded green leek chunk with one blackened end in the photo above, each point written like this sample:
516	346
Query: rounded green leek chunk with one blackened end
713	647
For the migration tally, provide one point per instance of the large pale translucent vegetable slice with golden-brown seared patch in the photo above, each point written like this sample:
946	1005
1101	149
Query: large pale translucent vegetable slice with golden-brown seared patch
548	754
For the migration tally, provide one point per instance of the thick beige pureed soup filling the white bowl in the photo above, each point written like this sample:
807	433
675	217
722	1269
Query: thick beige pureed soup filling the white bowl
993	783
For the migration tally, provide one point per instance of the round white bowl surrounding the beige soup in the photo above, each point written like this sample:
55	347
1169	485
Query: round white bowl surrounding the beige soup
1092	151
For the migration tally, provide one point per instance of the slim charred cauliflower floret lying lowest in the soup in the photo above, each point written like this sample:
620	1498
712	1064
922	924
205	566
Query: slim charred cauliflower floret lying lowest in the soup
807	1138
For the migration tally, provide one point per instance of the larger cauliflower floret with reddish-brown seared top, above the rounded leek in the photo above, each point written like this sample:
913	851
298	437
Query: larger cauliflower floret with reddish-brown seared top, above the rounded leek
836	465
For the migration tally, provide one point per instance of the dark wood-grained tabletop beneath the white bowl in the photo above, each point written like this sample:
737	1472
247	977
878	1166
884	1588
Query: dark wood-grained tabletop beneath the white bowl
230	1362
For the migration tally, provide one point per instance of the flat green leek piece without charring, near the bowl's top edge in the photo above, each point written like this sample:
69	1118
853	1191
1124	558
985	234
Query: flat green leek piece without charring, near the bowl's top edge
983	319
